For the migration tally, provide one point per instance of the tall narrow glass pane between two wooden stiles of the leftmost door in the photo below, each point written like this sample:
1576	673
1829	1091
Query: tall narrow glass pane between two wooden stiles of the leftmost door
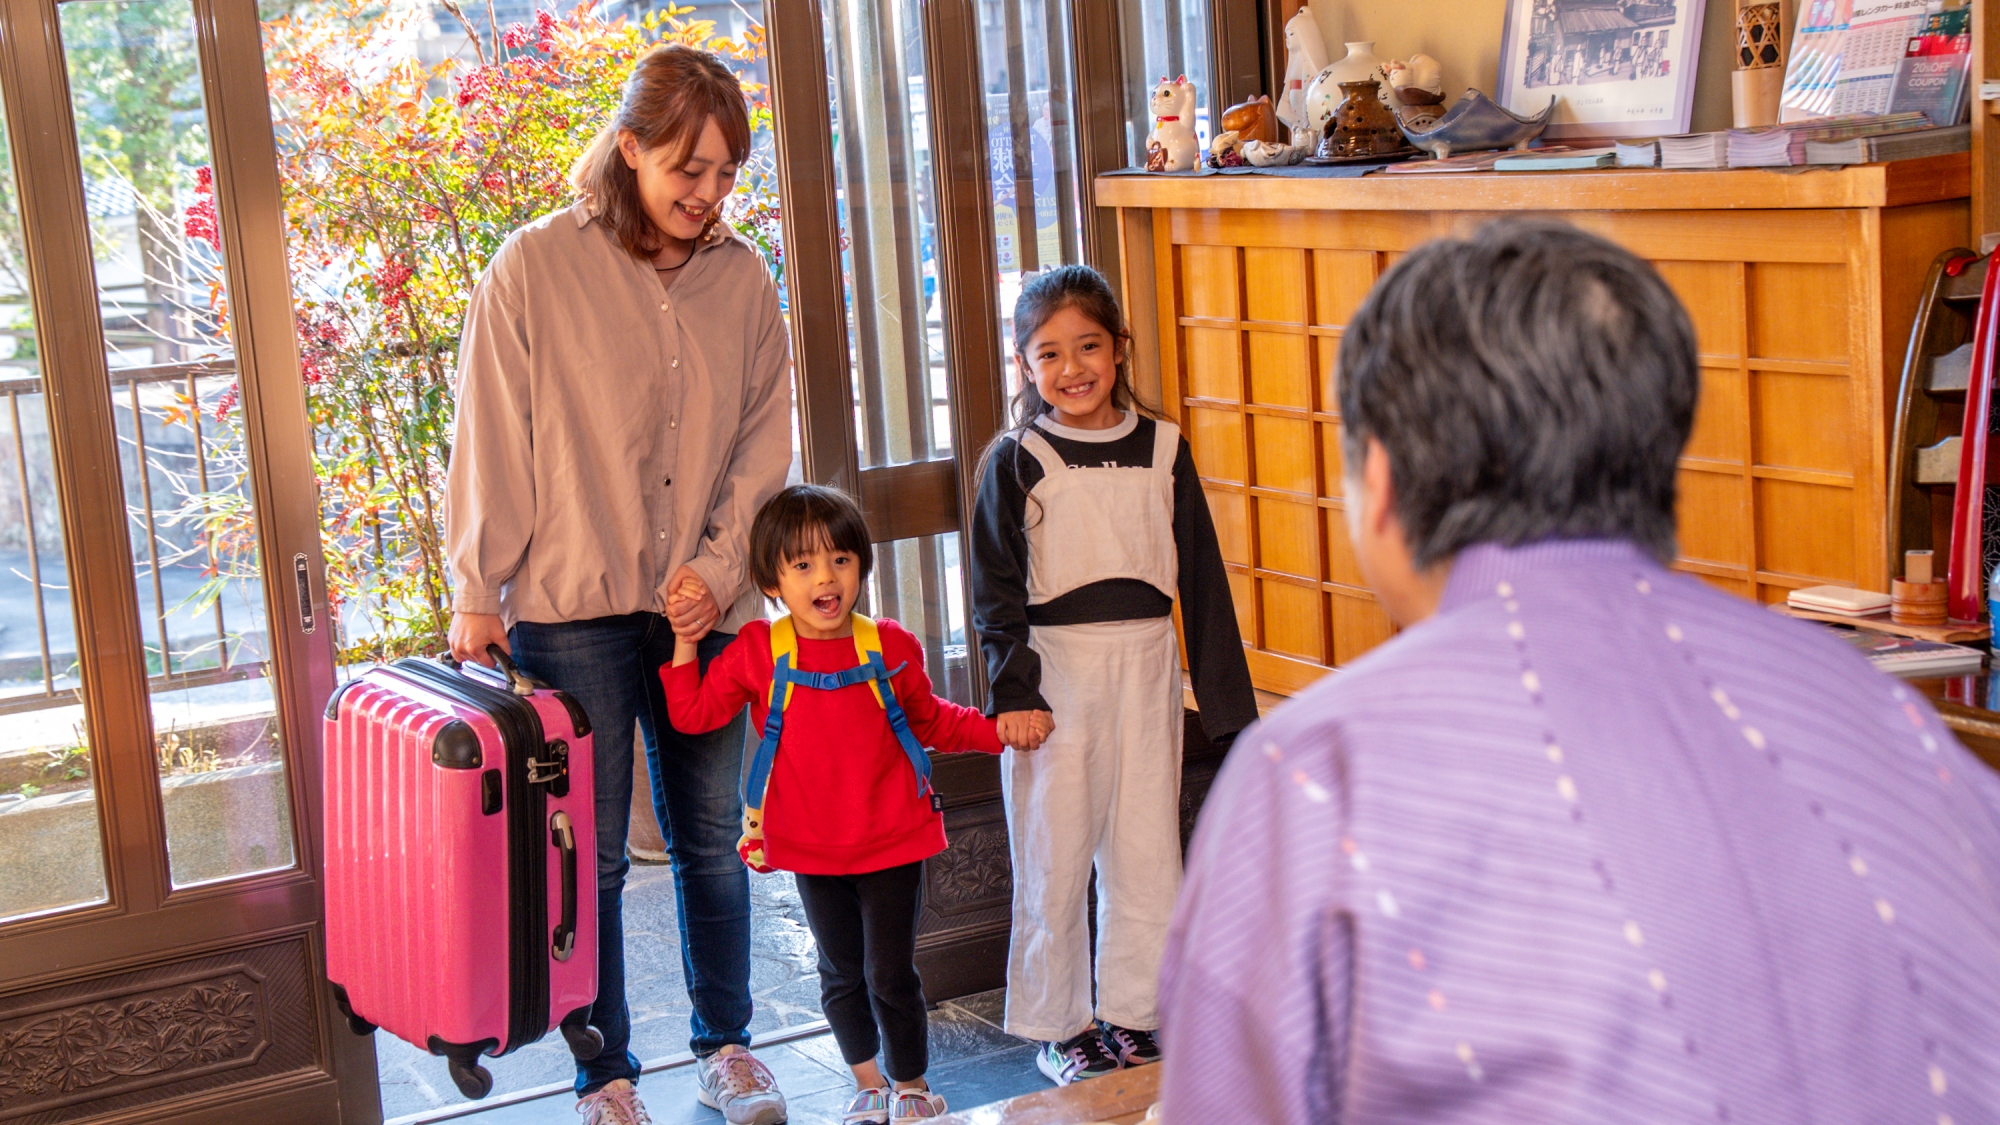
143	137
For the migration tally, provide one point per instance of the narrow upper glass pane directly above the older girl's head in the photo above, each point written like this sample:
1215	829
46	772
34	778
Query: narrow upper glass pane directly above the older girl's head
1025	61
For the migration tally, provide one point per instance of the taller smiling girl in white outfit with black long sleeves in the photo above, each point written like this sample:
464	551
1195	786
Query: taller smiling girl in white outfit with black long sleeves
1091	519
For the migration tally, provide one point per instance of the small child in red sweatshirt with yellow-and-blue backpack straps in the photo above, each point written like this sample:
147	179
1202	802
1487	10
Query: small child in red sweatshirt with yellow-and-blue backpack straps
839	790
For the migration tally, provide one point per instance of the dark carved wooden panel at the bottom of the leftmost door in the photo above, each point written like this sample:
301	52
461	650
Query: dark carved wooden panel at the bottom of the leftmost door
149	1036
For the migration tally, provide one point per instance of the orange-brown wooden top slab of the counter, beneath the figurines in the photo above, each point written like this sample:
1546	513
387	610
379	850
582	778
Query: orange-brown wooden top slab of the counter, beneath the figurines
1611	189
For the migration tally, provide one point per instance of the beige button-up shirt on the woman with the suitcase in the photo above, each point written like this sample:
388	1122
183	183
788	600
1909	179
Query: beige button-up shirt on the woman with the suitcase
611	431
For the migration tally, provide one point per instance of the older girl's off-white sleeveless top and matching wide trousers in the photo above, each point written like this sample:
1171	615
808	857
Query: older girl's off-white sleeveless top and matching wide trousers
1105	790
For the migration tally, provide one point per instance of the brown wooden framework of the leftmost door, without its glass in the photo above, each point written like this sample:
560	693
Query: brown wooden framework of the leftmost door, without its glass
147	936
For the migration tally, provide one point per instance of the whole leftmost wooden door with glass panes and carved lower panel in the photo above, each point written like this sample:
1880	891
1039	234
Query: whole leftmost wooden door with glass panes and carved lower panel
163	622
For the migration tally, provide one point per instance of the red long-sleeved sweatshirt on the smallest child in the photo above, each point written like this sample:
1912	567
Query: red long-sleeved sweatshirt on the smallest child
843	796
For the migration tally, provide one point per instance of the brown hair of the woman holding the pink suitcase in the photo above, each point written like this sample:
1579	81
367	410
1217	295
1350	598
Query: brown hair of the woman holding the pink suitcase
667	103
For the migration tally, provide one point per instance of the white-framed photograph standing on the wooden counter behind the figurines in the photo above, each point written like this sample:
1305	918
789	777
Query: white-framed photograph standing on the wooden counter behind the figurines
1619	67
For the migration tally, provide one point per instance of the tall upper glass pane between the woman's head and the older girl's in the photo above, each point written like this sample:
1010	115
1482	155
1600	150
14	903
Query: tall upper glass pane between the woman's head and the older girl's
875	59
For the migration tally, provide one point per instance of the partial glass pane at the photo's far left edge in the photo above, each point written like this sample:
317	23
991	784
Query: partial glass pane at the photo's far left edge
51	852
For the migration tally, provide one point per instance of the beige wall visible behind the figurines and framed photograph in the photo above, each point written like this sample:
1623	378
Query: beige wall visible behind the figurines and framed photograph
1465	39
